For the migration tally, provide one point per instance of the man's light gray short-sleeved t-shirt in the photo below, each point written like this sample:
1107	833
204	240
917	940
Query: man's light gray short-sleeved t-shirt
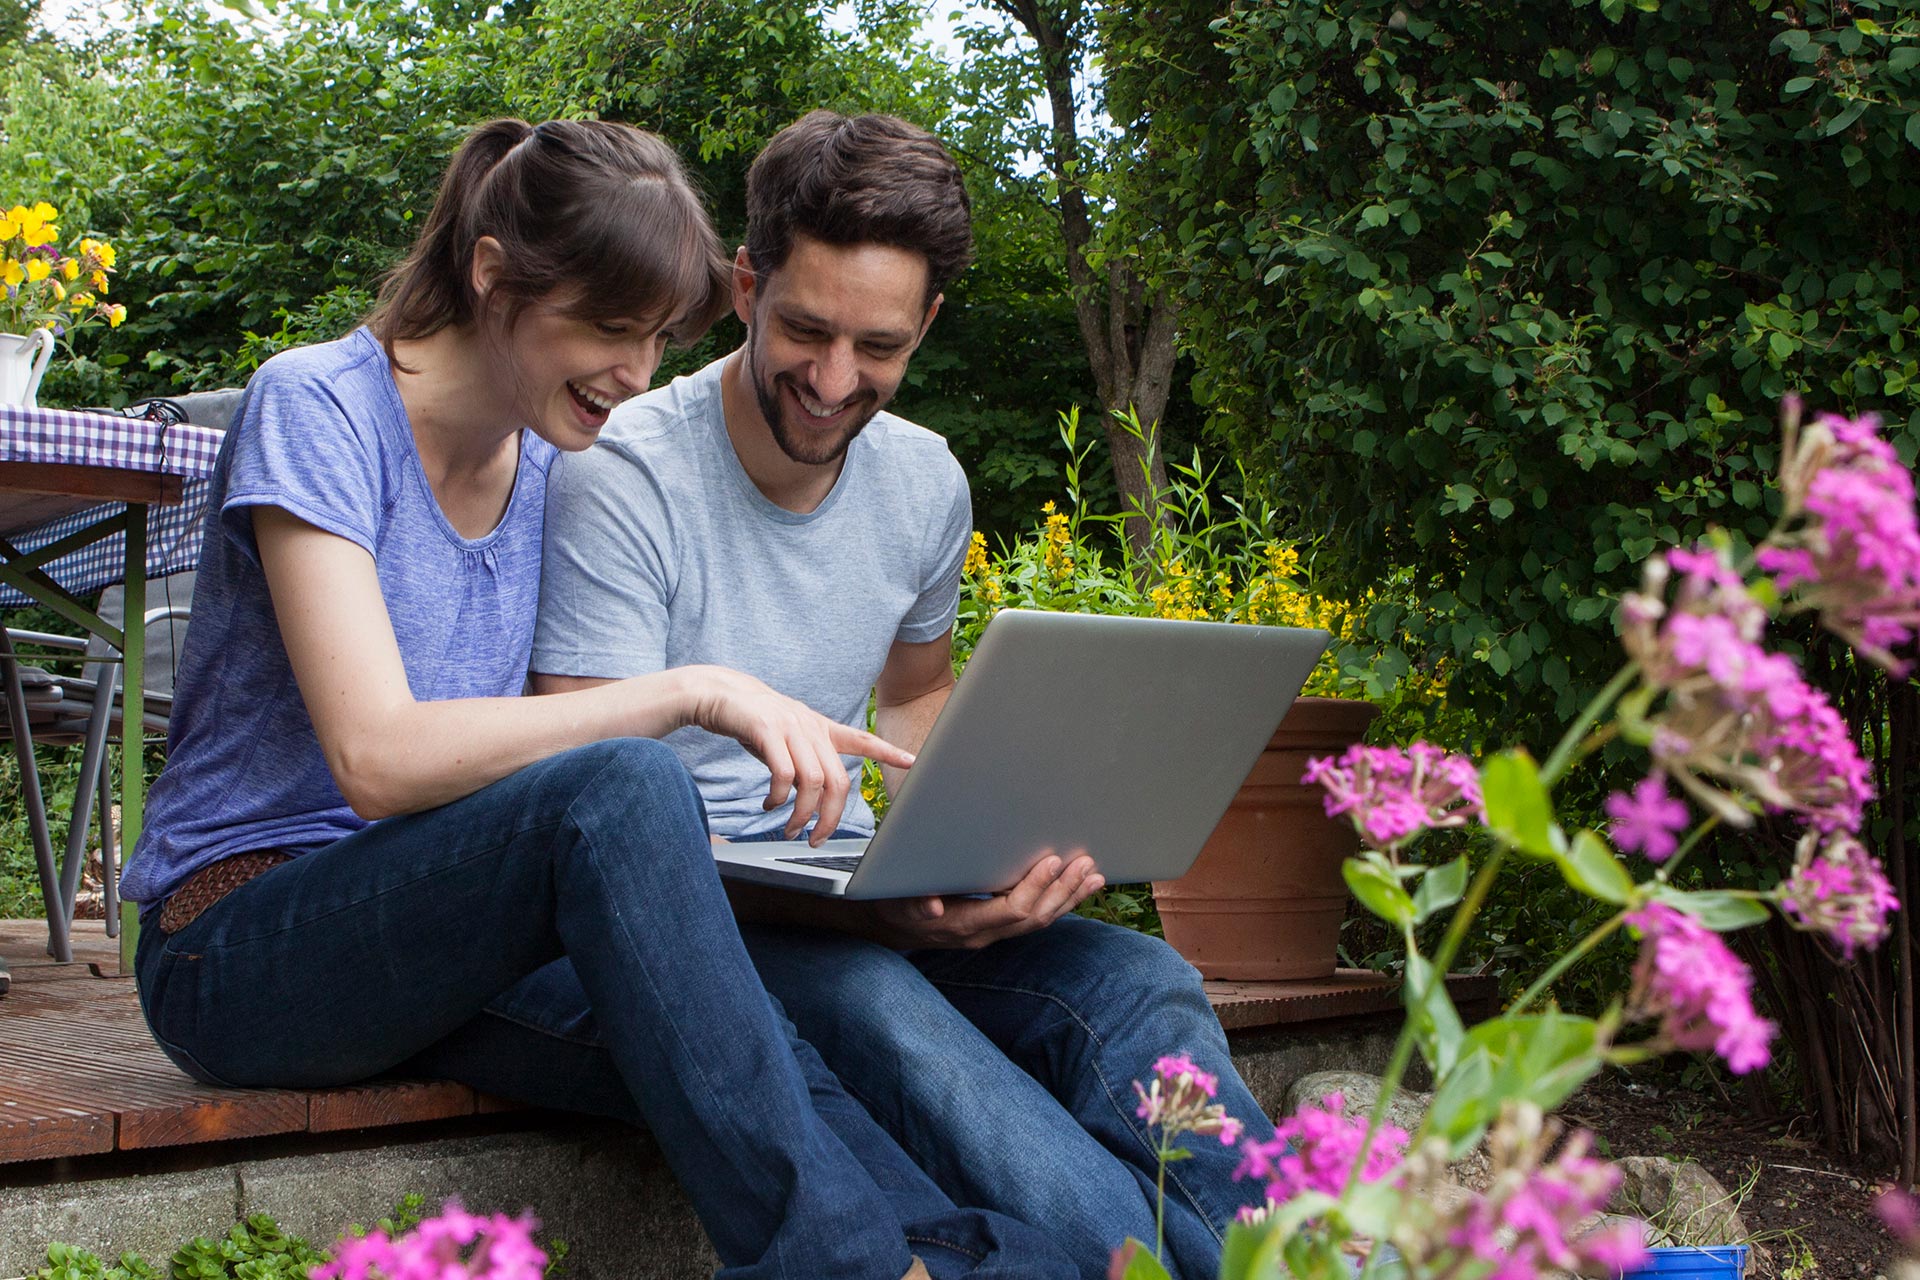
663	554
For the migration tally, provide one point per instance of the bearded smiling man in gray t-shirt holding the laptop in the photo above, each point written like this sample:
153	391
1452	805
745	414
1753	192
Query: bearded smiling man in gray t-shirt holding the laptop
769	515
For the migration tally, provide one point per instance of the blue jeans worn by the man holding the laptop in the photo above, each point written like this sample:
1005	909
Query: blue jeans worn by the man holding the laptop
1009	1074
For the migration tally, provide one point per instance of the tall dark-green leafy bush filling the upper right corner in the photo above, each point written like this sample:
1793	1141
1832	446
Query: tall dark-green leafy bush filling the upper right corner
1514	300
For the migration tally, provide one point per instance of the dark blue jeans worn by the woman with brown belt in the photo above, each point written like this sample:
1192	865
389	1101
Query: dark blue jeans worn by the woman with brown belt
590	872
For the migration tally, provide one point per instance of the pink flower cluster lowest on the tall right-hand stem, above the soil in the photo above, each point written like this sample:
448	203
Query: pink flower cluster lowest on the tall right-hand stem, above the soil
1698	989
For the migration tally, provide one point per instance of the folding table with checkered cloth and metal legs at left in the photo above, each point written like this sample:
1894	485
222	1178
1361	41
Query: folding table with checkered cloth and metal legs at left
89	500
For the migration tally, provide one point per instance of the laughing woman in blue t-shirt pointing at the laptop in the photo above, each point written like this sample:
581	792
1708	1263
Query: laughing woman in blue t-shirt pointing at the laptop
368	847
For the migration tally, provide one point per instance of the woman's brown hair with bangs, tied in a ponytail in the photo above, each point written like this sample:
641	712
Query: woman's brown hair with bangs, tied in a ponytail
602	214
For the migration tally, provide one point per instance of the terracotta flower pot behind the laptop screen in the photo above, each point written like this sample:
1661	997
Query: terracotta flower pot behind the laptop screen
1266	897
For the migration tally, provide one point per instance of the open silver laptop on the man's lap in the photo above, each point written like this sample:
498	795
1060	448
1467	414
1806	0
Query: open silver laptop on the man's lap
1124	738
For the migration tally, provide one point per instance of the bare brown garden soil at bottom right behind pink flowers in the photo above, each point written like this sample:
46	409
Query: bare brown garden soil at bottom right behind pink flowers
1808	1210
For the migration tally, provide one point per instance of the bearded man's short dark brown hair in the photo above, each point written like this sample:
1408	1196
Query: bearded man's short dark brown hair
869	179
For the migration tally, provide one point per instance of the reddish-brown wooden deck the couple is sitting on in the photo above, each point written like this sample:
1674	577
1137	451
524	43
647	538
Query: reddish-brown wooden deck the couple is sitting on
80	1074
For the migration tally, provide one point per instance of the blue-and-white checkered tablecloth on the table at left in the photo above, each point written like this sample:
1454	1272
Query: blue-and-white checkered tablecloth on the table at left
110	440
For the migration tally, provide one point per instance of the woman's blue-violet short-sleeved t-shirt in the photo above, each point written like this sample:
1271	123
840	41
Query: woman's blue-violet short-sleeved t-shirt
324	435
